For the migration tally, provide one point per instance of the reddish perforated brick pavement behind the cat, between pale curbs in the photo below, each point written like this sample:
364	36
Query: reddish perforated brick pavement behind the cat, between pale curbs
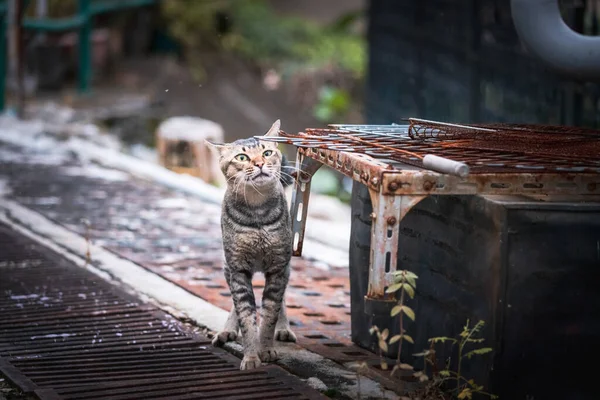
172	234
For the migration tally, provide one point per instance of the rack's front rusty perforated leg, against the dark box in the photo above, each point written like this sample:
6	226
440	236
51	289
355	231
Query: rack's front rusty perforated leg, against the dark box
388	211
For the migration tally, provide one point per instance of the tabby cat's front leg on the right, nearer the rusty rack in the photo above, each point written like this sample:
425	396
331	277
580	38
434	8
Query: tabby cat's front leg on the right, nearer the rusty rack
275	284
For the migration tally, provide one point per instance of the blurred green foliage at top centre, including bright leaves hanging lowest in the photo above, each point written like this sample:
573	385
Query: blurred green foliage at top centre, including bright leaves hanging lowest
331	58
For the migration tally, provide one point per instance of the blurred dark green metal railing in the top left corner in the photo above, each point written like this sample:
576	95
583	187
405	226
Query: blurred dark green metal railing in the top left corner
82	22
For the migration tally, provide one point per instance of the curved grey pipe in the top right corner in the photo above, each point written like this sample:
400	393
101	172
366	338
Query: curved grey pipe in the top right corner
544	32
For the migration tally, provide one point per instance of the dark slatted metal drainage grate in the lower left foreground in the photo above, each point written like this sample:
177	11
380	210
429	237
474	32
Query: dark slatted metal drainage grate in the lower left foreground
67	334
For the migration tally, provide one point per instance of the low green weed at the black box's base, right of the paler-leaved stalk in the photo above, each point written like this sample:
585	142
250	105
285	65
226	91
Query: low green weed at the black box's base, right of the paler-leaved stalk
464	388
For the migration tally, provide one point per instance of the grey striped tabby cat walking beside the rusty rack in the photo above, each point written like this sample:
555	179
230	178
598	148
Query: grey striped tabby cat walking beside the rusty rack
257	237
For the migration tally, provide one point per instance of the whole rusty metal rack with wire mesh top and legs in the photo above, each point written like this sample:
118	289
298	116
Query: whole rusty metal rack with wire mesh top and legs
392	161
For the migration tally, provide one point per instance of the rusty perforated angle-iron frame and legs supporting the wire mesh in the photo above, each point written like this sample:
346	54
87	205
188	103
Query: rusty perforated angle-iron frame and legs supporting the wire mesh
394	191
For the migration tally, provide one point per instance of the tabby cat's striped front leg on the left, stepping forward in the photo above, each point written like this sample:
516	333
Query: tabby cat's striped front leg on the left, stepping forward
240	285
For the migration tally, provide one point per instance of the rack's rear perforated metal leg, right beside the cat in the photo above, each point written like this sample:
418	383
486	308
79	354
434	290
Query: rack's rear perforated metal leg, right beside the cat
306	167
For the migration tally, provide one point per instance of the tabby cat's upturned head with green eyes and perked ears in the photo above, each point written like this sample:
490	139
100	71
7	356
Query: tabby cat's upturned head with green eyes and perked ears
251	162
